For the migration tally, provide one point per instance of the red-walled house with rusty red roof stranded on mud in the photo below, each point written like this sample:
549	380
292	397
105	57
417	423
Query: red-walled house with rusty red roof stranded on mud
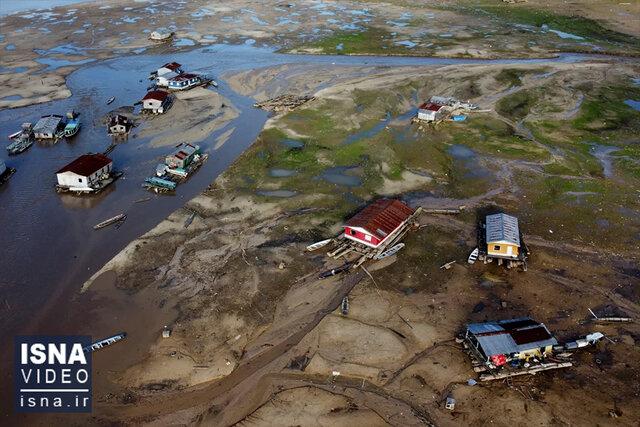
377	222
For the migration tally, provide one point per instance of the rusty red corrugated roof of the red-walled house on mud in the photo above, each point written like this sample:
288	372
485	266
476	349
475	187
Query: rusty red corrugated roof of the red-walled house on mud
381	217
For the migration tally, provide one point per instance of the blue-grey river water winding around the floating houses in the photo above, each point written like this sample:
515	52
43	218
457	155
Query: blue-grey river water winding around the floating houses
49	243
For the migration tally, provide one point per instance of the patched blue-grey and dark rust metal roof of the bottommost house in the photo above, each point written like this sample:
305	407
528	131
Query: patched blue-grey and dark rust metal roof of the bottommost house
511	336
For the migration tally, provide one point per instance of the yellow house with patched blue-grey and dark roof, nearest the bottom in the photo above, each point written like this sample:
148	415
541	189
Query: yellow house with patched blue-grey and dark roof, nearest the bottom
498	343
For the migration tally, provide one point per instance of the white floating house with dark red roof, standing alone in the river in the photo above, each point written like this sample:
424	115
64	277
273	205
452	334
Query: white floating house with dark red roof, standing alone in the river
84	172
